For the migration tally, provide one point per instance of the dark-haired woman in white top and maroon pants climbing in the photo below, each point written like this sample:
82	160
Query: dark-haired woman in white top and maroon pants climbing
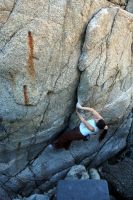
93	126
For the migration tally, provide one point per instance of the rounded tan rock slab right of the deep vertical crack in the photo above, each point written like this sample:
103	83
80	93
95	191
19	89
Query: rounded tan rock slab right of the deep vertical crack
106	81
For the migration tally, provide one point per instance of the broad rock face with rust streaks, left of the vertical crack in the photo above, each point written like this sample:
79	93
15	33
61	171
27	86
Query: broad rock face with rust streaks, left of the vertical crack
39	52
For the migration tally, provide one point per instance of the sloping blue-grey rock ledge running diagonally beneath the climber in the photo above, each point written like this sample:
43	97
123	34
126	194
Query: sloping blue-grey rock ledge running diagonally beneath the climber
53	165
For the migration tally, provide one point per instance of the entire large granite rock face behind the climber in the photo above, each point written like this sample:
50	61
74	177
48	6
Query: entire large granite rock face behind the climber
51	54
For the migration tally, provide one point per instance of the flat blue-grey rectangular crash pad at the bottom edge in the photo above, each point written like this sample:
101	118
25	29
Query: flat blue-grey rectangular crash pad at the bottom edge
82	189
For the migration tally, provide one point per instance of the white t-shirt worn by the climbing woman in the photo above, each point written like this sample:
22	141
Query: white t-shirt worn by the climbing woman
85	131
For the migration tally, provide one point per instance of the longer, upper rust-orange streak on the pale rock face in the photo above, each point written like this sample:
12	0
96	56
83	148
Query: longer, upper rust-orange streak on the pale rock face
31	68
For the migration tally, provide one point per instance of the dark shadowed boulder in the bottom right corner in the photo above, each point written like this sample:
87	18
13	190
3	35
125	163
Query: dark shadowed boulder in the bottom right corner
120	177
